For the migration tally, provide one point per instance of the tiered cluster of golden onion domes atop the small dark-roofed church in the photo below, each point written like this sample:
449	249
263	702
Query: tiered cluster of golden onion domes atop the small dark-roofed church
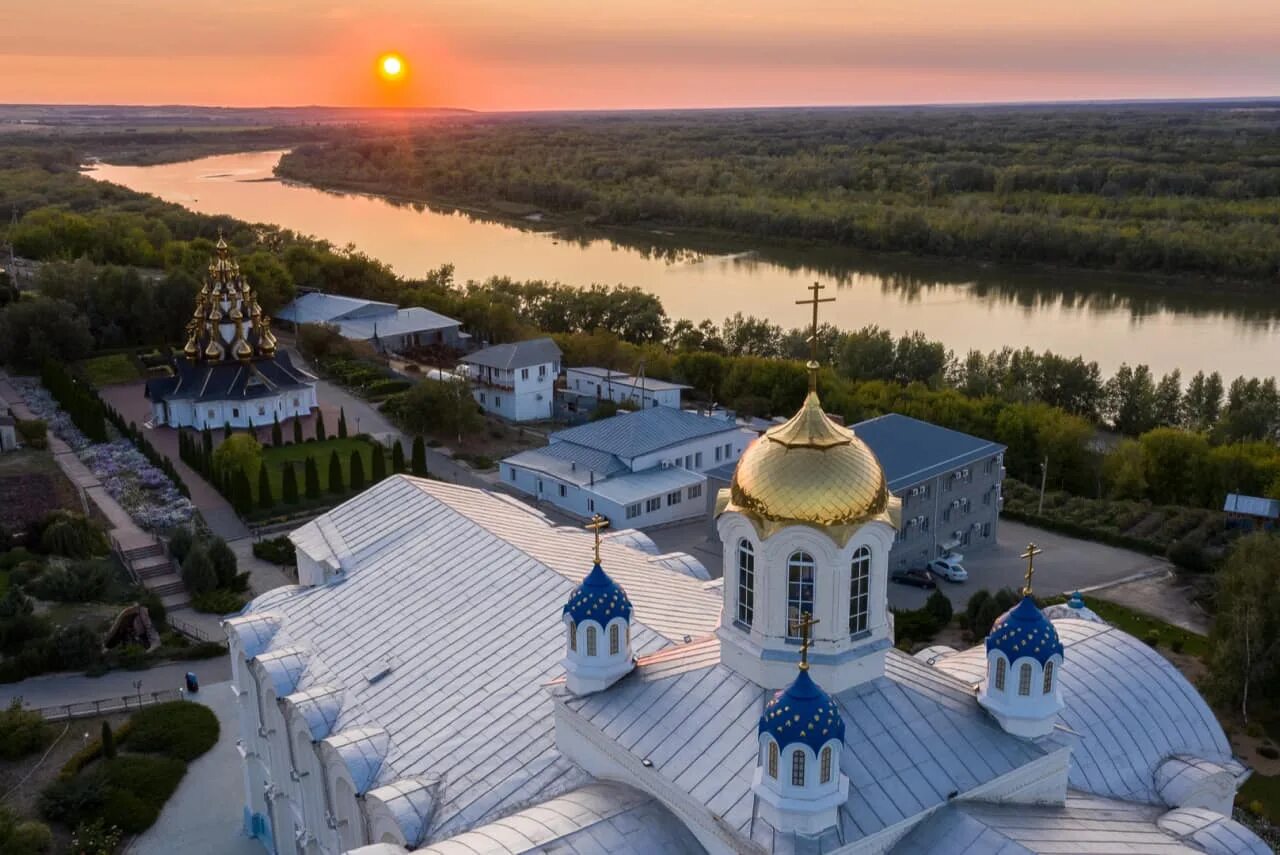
227	301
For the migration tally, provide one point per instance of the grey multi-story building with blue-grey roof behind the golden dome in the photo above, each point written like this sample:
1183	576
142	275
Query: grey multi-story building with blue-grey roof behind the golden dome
949	483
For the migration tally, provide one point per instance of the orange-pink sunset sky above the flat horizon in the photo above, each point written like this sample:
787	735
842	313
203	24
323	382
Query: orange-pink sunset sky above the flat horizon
593	54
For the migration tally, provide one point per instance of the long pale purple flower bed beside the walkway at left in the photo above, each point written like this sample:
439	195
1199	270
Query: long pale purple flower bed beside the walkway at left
144	492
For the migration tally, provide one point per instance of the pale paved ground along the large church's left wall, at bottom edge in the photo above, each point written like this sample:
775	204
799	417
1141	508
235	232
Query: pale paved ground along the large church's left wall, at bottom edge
204	816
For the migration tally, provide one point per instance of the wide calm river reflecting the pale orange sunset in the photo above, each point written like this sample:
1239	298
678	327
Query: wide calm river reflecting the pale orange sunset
1104	317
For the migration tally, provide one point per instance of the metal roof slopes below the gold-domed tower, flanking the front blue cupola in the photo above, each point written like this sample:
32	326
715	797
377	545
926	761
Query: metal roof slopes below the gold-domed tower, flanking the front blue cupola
913	738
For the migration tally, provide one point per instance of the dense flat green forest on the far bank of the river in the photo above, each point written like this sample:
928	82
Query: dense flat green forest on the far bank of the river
1156	189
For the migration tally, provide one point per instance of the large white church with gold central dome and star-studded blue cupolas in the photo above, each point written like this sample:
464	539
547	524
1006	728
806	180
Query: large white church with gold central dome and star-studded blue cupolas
455	675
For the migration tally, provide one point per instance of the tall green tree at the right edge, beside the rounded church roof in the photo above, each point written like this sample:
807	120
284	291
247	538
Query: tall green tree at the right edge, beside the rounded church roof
1246	637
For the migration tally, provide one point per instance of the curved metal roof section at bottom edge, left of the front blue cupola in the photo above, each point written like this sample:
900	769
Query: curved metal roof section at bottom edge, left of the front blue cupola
593	820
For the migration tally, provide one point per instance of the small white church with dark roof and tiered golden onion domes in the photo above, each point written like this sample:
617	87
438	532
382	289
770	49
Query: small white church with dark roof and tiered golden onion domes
232	371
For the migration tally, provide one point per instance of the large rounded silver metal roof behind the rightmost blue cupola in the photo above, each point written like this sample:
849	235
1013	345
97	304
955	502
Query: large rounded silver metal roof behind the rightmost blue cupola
1130	708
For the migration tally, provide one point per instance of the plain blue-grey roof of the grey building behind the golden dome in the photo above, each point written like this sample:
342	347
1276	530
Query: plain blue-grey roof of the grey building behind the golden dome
912	451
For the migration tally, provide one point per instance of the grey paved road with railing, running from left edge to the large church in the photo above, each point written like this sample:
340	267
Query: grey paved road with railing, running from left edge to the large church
53	691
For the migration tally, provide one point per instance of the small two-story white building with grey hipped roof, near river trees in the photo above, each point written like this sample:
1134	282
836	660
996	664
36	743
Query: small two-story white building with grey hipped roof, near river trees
515	381
